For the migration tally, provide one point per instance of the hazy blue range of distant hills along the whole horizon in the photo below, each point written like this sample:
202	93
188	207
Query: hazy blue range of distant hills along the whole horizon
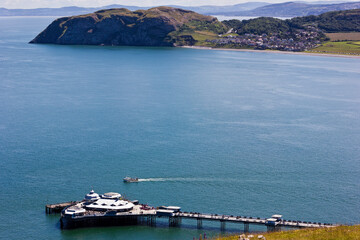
287	9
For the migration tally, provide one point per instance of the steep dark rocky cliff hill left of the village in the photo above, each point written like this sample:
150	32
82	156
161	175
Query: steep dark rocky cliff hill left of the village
121	27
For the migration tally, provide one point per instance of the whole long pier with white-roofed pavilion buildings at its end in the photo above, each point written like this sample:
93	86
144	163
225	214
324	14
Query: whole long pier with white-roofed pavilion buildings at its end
110	209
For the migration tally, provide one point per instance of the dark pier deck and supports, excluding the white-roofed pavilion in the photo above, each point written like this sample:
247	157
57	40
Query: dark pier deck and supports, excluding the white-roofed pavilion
144	215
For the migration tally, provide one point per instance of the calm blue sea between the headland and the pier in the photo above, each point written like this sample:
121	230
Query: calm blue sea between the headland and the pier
225	132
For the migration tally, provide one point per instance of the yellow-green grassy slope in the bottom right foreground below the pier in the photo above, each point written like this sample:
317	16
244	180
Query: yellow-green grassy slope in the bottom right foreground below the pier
336	233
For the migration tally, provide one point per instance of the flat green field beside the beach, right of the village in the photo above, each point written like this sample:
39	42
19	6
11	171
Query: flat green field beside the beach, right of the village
346	47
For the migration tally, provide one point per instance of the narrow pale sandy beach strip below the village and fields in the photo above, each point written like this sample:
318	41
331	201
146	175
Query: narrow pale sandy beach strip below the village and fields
274	51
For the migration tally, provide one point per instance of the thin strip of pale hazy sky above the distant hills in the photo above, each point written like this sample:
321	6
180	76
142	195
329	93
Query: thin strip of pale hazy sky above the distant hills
99	3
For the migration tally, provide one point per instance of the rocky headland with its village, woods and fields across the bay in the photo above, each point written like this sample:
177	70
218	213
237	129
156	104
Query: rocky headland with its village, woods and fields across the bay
171	27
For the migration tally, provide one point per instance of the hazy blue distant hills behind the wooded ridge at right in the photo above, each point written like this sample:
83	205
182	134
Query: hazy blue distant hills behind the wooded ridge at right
295	9
